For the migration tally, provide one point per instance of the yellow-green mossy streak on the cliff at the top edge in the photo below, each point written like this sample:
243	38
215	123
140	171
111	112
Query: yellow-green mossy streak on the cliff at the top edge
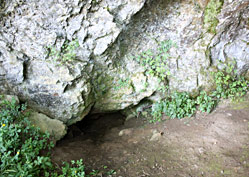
210	15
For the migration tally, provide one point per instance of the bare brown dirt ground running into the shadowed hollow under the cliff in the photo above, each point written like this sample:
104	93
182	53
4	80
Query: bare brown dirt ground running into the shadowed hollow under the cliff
209	145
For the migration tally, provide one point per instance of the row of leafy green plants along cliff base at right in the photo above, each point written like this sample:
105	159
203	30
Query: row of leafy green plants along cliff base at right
181	104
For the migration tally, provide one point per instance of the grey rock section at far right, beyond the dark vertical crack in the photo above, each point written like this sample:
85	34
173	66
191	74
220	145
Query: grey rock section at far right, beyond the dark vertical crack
231	42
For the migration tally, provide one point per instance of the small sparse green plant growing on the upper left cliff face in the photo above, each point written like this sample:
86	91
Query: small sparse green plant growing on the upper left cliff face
67	52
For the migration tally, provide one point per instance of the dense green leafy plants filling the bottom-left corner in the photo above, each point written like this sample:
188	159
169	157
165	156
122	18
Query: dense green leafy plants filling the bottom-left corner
24	150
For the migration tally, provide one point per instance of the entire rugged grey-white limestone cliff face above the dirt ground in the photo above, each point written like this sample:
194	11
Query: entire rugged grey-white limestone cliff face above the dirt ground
67	57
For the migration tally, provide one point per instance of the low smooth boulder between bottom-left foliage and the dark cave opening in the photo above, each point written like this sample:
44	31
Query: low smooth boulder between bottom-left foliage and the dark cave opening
54	127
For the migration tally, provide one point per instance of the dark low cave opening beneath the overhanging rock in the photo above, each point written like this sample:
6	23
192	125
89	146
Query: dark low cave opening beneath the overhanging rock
95	126
